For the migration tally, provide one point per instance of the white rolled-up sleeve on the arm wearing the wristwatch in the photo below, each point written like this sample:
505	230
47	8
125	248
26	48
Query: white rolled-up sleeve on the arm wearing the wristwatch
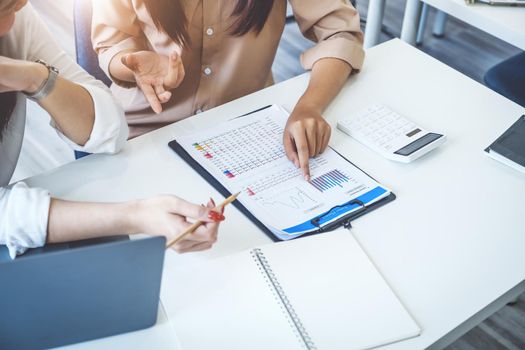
110	129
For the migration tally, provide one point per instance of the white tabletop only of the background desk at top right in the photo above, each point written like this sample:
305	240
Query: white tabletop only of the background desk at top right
504	22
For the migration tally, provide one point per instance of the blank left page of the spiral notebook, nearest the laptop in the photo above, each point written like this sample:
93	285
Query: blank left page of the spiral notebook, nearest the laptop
226	304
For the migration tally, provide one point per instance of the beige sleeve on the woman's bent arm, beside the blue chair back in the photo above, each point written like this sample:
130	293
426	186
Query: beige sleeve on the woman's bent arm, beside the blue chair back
115	28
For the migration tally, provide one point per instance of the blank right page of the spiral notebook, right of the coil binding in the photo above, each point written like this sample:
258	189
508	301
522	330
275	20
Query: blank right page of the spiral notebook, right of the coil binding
341	299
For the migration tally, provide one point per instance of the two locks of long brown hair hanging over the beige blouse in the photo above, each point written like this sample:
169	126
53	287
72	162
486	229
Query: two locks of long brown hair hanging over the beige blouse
168	16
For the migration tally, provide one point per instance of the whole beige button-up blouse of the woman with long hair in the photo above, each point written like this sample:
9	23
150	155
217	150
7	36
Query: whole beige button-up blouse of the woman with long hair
219	67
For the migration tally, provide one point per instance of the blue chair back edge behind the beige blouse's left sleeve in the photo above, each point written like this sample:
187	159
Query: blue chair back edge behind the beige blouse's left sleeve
86	56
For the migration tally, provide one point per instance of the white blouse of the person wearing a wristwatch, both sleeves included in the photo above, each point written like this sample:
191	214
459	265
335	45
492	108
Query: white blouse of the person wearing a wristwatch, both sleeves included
24	211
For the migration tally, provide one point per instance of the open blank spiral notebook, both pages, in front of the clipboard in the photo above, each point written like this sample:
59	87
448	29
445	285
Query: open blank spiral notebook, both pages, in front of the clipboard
320	292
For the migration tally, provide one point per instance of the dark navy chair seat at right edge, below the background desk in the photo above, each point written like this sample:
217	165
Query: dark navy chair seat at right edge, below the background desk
508	78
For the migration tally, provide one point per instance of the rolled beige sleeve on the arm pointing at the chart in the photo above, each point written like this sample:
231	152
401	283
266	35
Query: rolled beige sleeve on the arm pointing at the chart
334	25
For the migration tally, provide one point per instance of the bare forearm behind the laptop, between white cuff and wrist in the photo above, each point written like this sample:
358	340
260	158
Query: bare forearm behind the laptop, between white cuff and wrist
70	221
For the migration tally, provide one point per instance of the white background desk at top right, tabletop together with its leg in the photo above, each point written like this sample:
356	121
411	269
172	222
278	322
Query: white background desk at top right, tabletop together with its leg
503	22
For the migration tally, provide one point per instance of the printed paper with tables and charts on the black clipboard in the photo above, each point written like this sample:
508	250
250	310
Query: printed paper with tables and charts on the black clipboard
246	154
